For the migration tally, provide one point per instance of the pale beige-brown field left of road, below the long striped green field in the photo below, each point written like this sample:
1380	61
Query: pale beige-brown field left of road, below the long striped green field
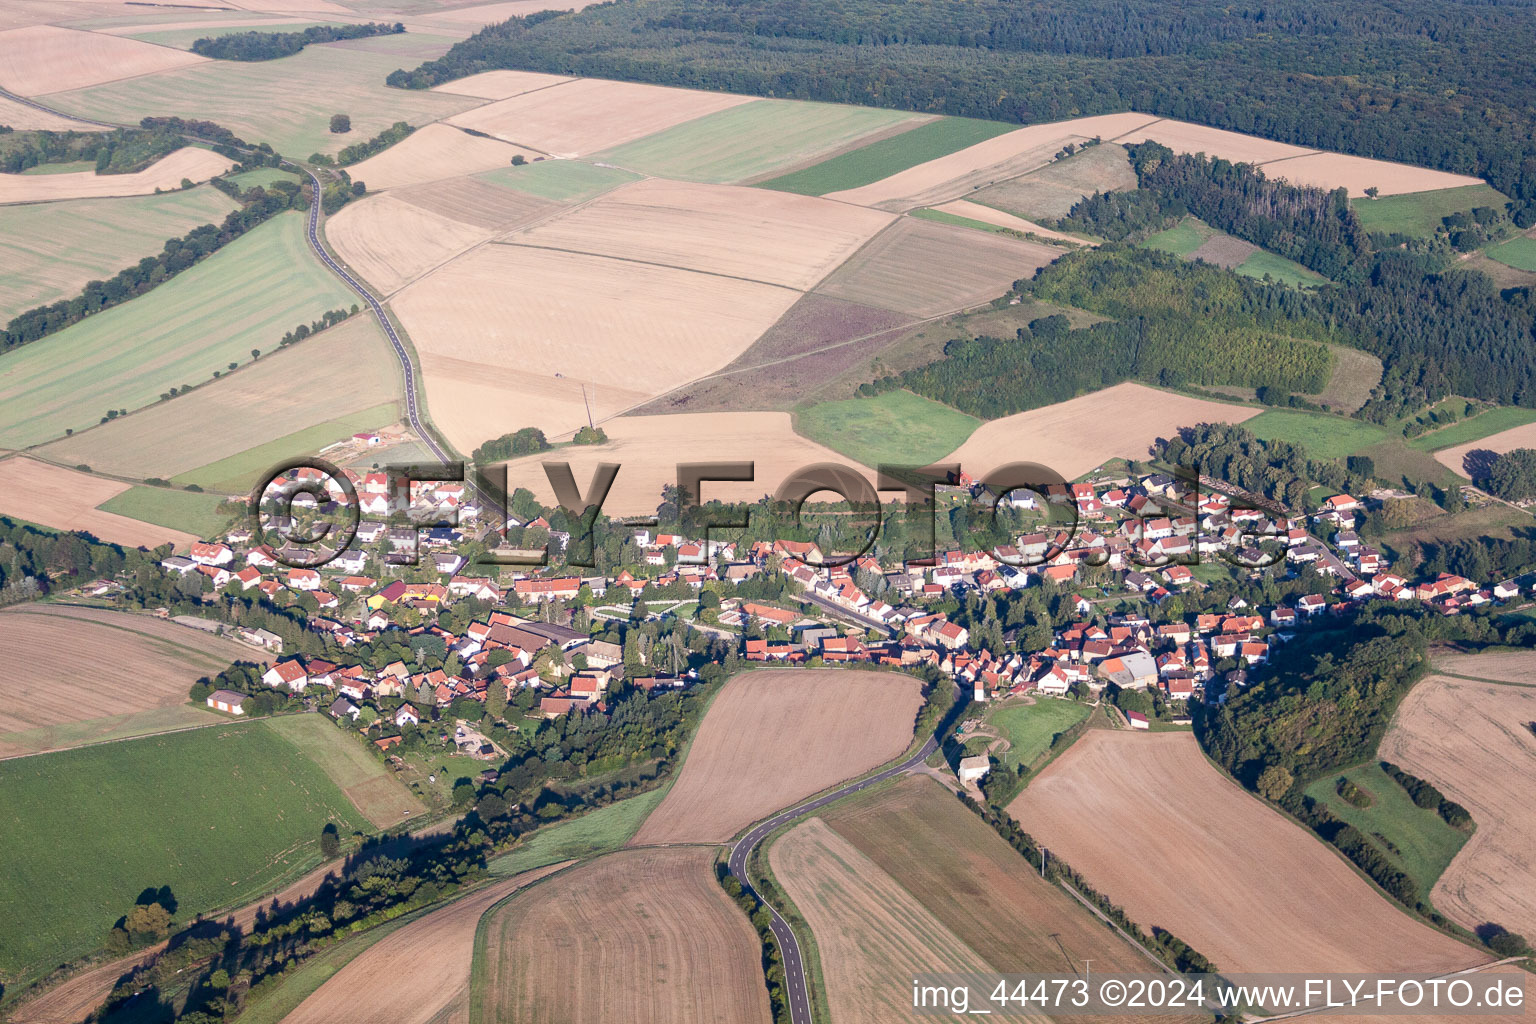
276	397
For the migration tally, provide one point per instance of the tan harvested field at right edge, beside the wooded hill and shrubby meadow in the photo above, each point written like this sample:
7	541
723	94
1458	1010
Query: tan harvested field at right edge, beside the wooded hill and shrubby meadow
1475	744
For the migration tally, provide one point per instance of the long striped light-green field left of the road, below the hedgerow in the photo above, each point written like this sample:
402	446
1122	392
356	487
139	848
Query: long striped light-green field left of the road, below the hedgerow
245	297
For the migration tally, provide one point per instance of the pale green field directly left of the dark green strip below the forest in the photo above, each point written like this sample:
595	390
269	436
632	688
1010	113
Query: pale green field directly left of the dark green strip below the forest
750	140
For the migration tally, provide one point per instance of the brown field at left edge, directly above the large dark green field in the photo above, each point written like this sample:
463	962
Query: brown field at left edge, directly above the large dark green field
136	669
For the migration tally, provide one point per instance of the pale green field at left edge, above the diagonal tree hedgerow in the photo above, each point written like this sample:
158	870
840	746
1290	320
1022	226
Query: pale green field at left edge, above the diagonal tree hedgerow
51	251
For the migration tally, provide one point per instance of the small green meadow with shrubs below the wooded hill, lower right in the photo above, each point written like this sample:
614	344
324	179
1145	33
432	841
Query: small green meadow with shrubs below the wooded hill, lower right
1425	844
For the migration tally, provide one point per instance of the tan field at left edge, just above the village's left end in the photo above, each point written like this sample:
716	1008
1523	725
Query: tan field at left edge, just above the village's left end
67	500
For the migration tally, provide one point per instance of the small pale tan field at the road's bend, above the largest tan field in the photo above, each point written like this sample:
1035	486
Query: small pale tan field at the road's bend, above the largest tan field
392	242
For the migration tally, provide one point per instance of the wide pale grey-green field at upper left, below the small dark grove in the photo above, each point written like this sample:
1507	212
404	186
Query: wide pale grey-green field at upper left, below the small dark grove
285	102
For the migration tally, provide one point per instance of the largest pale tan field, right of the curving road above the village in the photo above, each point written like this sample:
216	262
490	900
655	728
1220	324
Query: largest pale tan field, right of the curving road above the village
512	337
